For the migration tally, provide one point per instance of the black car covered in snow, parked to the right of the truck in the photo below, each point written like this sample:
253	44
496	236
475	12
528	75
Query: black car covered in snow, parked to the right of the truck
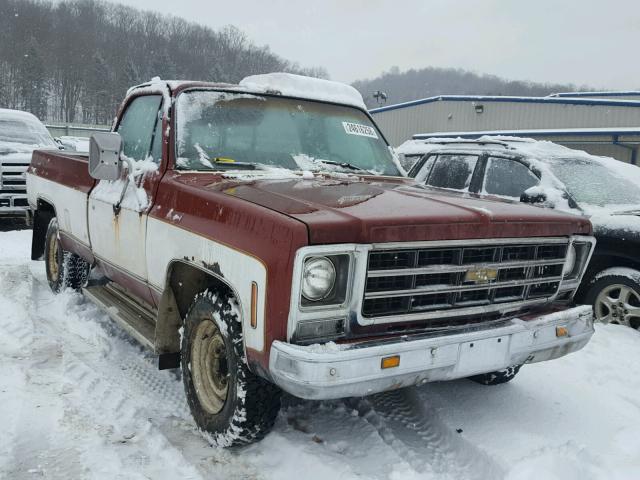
602	189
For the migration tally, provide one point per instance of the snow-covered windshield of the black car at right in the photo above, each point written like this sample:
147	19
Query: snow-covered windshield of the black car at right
594	184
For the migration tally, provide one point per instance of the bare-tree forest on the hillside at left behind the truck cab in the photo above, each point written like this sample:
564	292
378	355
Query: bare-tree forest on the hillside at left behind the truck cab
72	61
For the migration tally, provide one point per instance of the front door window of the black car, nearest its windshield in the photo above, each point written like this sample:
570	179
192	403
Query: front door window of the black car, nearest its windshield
507	177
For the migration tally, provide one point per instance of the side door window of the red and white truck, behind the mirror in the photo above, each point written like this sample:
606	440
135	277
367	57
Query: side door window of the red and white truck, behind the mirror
138	125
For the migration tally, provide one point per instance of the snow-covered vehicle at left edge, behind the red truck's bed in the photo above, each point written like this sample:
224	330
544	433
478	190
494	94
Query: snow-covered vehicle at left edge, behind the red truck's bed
20	134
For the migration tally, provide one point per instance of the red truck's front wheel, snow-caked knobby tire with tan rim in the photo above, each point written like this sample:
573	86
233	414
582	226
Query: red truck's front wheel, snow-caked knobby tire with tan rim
230	404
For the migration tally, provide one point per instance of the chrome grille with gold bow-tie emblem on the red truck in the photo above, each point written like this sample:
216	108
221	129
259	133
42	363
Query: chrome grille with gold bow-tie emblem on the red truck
444	278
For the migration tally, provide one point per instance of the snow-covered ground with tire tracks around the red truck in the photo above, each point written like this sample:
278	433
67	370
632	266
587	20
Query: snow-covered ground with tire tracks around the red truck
78	399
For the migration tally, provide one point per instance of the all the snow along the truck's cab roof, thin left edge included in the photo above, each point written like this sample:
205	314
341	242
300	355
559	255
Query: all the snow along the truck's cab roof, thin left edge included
285	84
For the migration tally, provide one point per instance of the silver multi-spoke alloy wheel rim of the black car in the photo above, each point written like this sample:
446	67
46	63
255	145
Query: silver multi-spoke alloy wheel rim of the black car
618	304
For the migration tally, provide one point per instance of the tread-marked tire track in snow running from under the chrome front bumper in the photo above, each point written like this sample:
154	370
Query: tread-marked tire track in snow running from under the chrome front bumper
416	434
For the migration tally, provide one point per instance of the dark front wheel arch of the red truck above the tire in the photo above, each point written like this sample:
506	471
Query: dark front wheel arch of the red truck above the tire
184	281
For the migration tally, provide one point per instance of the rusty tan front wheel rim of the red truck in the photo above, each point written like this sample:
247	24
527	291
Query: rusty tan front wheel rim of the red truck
209	366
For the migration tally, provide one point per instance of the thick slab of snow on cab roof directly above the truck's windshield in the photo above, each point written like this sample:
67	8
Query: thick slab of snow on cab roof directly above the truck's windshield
298	86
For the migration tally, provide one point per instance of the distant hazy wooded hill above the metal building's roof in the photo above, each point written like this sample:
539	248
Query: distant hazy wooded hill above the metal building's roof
429	82
